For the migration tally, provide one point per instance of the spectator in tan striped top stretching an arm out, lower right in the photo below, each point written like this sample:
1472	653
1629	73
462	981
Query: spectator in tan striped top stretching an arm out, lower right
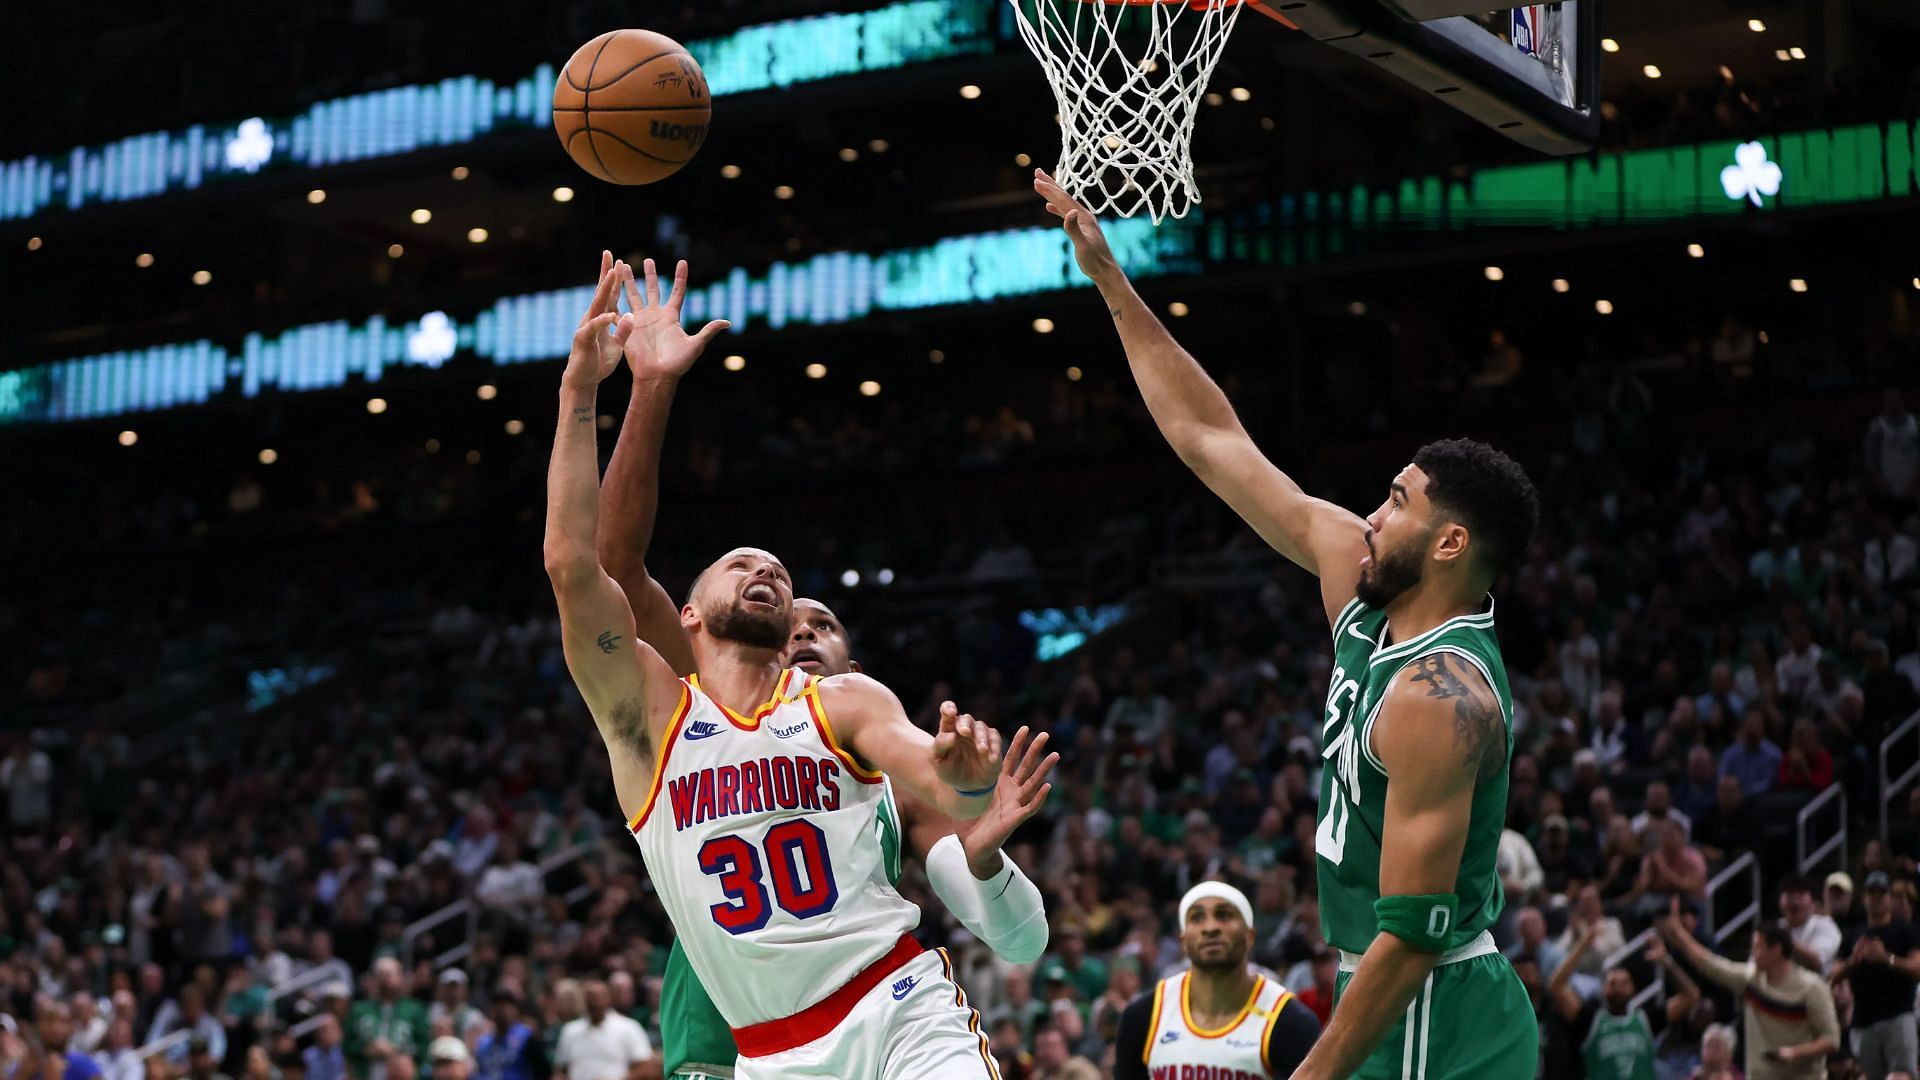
1788	1010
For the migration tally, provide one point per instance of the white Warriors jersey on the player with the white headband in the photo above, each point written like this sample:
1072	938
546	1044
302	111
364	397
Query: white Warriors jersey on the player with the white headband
1182	1050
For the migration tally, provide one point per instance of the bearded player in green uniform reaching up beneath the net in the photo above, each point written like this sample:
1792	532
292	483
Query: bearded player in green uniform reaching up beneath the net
1418	727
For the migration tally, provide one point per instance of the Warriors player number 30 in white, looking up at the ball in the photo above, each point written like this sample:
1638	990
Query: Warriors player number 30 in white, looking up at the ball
754	789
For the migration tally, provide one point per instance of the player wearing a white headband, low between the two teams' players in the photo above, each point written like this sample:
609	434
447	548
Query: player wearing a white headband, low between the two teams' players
1218	1019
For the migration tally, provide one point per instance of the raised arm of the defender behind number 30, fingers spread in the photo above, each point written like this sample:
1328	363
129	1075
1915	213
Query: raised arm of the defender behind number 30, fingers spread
658	353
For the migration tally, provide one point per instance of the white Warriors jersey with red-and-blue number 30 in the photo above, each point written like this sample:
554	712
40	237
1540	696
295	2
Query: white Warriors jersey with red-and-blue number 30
759	837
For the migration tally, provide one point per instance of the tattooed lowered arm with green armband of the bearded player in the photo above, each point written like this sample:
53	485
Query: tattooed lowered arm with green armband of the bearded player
1441	733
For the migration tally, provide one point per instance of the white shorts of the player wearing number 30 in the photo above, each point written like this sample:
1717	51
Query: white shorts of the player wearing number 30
915	1025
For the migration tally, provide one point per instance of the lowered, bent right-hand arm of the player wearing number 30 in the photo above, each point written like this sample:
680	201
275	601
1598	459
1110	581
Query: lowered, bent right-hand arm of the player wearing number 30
955	772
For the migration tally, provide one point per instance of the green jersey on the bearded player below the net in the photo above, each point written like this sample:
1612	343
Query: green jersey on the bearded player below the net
1353	806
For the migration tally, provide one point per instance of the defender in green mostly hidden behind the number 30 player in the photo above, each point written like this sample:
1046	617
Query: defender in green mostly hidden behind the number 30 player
986	891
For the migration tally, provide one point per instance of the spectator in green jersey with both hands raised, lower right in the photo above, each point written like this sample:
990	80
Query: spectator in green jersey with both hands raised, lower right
1618	1039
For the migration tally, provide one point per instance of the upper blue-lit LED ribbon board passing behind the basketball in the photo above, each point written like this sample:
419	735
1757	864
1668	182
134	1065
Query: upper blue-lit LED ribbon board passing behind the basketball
464	110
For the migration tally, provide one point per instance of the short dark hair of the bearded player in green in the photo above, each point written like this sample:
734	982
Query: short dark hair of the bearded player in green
1485	491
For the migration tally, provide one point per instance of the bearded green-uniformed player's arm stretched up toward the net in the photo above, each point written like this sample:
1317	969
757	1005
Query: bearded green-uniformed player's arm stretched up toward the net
1199	422
